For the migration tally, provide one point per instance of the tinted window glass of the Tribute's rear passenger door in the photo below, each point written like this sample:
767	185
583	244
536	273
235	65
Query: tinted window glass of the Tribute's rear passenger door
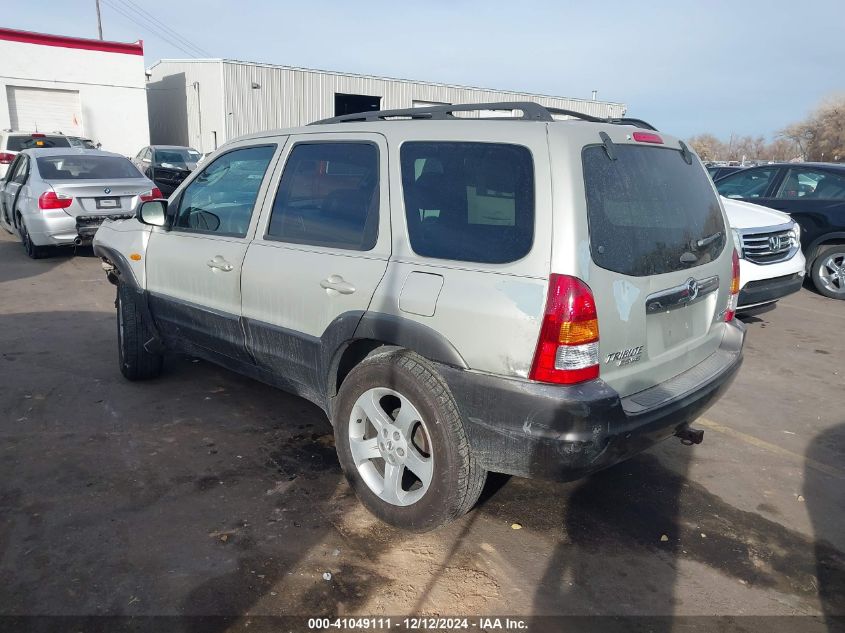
328	196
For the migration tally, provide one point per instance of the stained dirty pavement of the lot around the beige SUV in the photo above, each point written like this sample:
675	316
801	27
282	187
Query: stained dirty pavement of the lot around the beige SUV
206	493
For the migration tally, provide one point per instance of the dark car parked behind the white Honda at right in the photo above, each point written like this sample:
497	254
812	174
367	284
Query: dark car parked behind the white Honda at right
814	195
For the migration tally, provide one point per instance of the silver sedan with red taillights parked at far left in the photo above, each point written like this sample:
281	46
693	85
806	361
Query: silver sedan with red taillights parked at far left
60	196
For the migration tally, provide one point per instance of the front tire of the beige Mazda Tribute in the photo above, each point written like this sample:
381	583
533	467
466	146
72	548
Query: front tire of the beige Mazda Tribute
136	363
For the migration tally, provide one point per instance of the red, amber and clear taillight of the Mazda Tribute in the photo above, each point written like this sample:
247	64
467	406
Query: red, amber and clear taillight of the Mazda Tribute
568	348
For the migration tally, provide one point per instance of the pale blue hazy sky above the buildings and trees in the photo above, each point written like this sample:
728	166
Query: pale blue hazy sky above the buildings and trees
720	66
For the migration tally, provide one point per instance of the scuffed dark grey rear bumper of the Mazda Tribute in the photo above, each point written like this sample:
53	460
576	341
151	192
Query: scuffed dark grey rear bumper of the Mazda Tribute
563	433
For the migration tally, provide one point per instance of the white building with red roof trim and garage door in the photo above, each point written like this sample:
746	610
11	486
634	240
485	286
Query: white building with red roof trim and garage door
80	87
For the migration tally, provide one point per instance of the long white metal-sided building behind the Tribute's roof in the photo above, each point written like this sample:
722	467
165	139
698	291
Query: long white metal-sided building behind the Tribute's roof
202	103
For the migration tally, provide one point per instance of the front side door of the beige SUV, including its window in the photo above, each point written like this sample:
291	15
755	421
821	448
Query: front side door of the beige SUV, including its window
194	266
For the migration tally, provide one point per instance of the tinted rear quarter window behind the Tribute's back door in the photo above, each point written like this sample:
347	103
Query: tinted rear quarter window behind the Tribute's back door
469	201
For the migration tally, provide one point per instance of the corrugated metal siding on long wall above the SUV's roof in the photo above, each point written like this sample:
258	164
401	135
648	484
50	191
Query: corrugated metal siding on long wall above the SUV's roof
290	97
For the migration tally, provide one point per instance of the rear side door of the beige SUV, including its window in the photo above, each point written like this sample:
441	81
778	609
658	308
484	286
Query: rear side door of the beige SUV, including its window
321	249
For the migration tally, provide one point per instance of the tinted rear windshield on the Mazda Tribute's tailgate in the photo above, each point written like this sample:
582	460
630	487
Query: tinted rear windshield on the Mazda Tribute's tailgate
649	211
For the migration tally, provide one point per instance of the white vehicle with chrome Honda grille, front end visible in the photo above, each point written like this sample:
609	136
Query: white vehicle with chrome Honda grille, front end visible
771	263
